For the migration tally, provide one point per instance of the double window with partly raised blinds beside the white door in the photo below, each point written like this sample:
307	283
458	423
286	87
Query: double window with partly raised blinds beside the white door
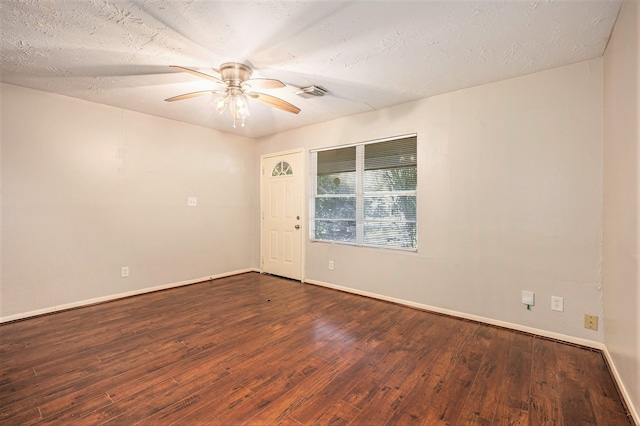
365	194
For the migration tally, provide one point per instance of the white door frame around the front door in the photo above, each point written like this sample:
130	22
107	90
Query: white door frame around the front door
303	203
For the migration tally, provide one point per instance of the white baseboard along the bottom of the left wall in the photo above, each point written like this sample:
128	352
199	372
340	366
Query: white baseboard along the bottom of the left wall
81	303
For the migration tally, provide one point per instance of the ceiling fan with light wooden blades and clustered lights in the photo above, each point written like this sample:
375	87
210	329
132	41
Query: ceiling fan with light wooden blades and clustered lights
239	85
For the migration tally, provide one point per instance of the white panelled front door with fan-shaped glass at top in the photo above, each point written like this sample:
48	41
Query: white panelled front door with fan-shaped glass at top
282	209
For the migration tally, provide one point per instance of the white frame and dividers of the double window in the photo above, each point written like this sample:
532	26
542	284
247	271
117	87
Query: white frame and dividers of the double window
360	195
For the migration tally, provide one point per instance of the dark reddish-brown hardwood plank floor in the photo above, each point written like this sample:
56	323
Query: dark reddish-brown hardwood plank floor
257	349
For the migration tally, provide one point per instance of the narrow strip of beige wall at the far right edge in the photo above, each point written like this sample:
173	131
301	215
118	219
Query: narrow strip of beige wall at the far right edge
622	198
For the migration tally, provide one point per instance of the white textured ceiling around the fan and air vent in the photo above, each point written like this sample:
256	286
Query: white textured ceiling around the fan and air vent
367	54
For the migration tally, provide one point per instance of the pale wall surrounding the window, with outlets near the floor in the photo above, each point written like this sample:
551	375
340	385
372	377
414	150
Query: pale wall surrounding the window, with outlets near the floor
509	199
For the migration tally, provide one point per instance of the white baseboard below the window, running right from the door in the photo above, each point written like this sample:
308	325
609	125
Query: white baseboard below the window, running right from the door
512	326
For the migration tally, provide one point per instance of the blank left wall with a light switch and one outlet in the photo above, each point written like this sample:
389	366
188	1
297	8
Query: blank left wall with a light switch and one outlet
88	188
